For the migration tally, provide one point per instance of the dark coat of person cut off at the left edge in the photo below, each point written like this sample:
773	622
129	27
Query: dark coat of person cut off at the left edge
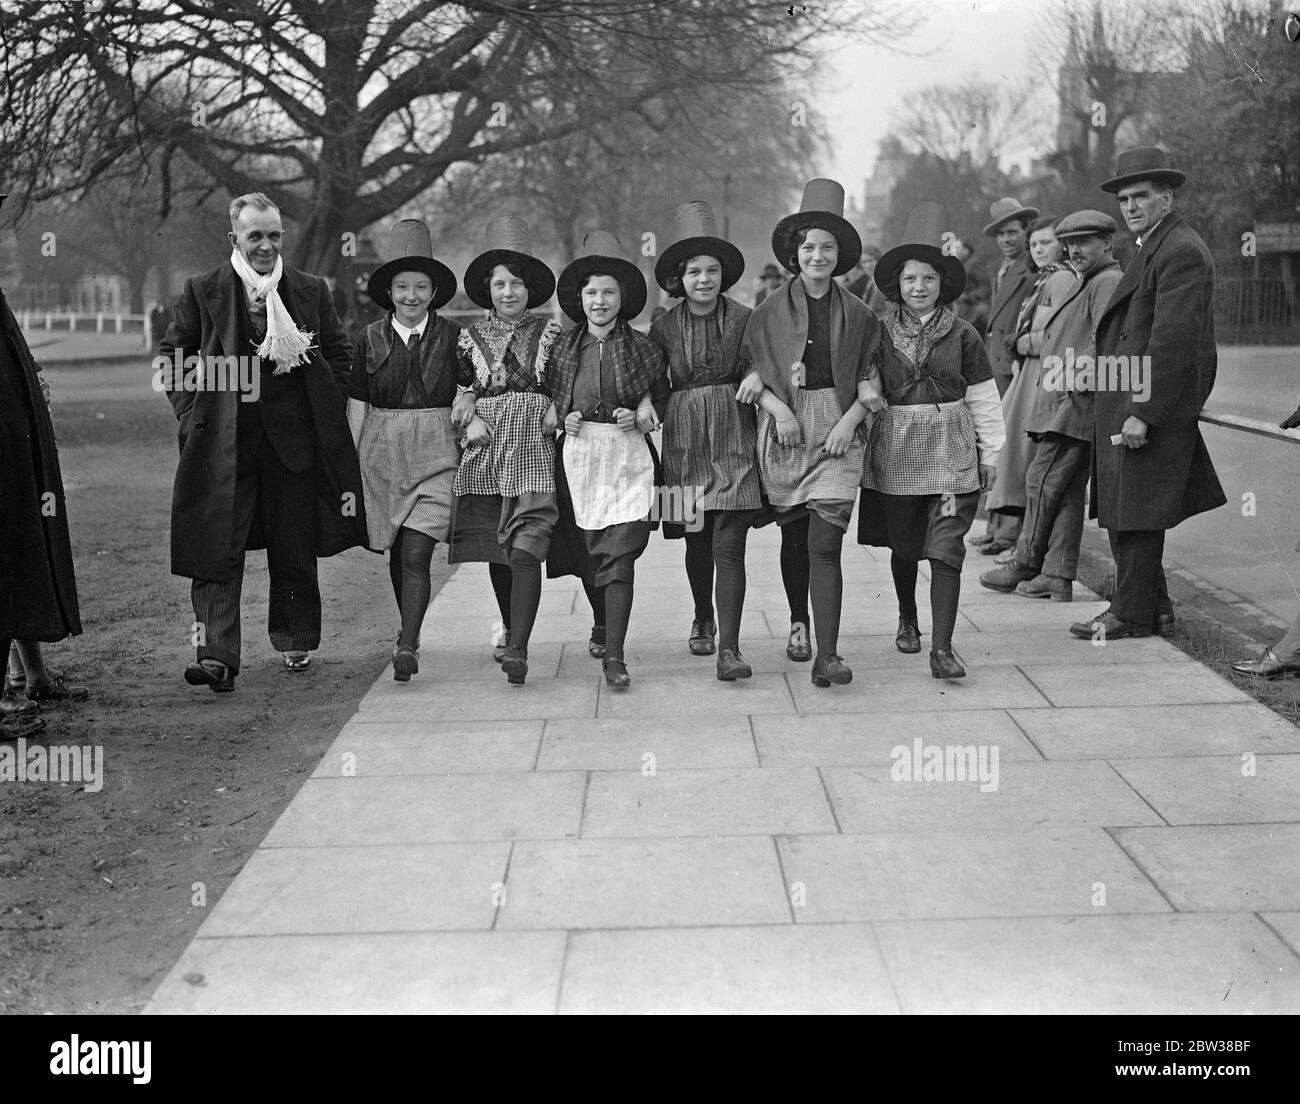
38	588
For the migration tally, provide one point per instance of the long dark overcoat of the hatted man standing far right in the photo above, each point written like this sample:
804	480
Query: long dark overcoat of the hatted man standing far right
1163	310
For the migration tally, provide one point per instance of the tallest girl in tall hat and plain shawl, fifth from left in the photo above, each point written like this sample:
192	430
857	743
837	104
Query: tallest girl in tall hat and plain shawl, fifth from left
816	356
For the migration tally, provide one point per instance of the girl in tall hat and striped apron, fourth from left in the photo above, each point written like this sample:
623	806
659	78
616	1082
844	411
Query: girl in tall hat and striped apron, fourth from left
709	438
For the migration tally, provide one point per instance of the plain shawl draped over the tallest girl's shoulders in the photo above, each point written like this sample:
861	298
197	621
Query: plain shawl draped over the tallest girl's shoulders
778	332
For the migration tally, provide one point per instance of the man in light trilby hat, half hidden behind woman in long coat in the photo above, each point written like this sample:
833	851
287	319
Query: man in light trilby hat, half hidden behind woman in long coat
1012	284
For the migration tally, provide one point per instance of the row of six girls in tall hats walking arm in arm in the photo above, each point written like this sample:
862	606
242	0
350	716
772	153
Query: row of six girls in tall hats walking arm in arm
766	415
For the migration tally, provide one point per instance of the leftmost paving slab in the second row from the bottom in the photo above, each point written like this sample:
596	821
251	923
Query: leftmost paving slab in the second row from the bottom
323	890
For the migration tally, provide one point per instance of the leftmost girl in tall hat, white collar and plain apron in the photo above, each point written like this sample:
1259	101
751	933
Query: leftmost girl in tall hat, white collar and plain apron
405	375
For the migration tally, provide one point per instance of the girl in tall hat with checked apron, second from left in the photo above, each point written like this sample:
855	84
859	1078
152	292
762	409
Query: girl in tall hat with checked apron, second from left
506	487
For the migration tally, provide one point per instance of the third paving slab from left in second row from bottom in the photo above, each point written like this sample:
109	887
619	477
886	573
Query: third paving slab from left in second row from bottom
968	873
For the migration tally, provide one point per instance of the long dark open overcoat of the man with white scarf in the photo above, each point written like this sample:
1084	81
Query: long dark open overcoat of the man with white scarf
206	321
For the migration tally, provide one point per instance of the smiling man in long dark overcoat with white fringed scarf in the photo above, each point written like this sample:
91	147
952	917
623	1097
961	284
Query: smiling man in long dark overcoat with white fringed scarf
267	460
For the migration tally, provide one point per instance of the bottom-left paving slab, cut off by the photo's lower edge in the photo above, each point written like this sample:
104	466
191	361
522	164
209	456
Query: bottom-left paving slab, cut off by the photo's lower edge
417	973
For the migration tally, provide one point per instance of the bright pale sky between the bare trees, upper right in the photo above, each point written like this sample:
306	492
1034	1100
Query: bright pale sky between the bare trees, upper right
959	38
